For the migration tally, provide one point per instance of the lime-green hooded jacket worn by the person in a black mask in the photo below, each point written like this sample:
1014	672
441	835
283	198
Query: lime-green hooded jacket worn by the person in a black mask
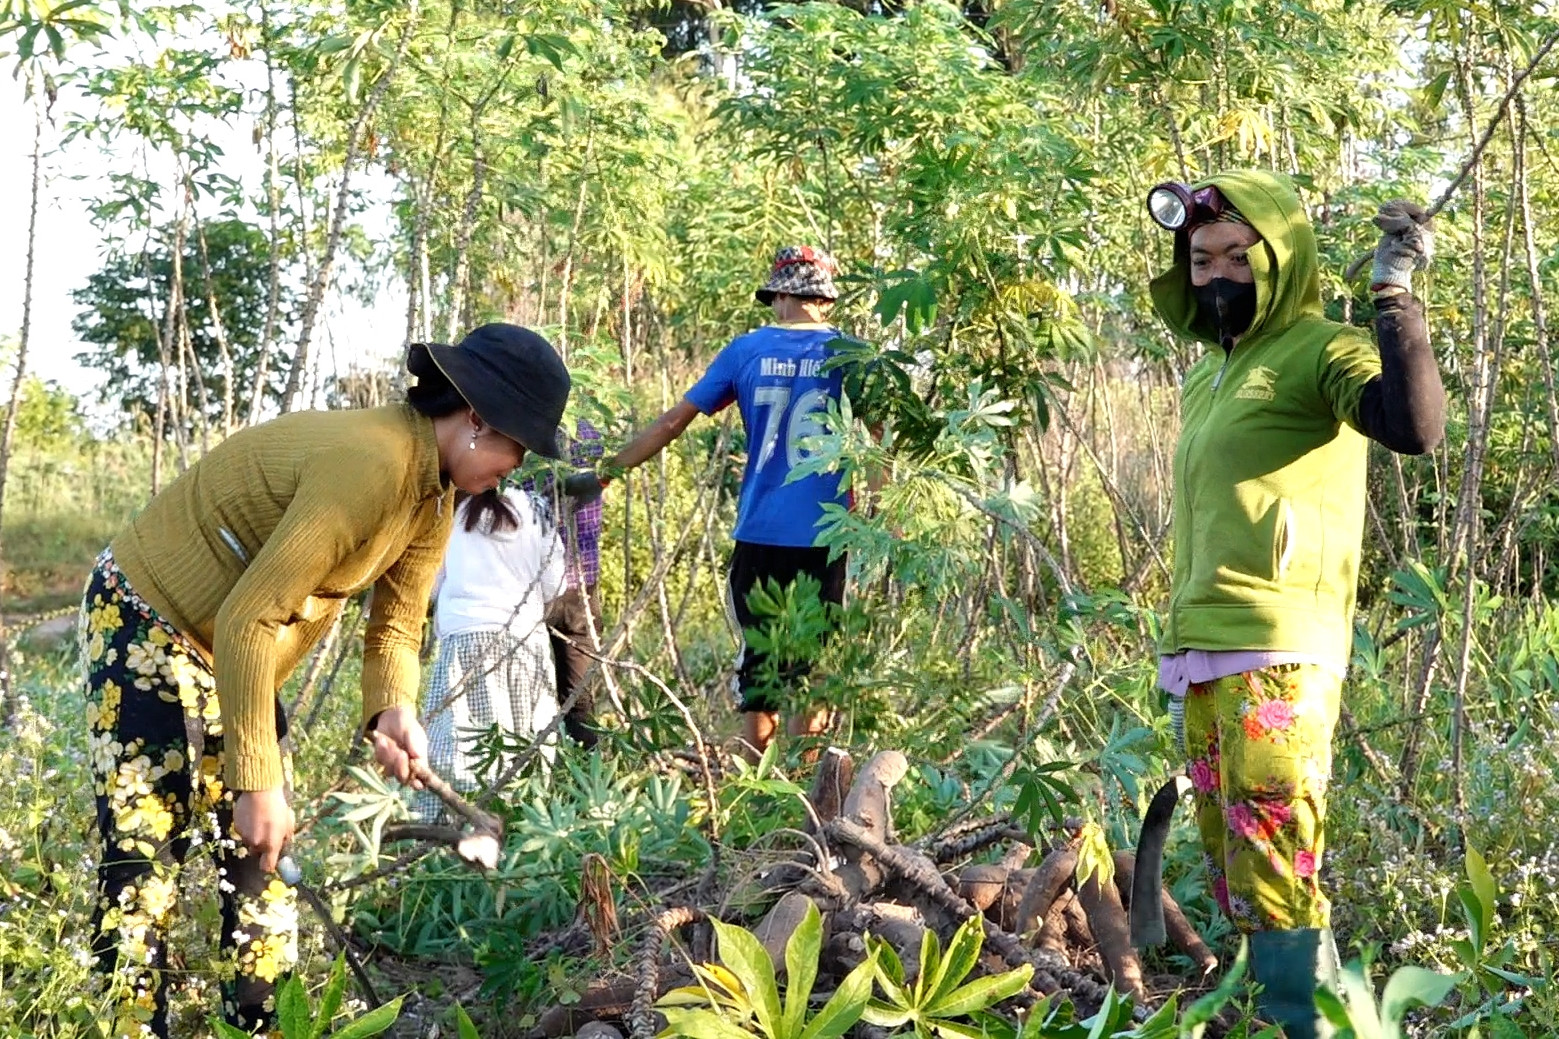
1270	467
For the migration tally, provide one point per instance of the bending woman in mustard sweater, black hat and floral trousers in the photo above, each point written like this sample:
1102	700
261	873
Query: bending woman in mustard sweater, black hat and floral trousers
199	612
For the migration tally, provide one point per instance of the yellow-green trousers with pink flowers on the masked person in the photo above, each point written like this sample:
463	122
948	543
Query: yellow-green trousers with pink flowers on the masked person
1260	759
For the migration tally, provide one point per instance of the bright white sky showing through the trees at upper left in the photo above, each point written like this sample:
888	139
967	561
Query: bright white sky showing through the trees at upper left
69	250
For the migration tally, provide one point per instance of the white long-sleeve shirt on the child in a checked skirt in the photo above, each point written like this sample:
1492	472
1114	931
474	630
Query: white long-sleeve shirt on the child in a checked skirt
500	580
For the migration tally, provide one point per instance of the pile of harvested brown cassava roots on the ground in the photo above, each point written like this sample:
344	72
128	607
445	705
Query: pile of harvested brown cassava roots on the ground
864	884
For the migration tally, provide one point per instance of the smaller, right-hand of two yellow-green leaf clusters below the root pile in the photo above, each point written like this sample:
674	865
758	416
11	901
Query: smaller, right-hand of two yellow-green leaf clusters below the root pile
939	1002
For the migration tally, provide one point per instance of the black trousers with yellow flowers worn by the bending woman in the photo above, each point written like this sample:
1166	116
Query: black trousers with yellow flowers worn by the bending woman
157	767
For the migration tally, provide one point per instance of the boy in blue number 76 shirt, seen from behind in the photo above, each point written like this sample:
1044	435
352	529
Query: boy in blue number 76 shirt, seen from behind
776	377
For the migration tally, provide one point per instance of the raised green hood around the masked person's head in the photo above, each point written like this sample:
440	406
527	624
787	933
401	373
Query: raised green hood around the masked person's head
1284	263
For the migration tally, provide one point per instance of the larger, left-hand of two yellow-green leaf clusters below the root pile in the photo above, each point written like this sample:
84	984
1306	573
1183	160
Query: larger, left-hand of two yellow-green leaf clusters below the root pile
741	995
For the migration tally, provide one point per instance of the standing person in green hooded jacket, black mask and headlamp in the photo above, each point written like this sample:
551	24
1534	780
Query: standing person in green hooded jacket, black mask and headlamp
1268	527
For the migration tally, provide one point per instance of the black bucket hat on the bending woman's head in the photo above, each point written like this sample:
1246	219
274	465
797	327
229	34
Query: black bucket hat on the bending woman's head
514	380
